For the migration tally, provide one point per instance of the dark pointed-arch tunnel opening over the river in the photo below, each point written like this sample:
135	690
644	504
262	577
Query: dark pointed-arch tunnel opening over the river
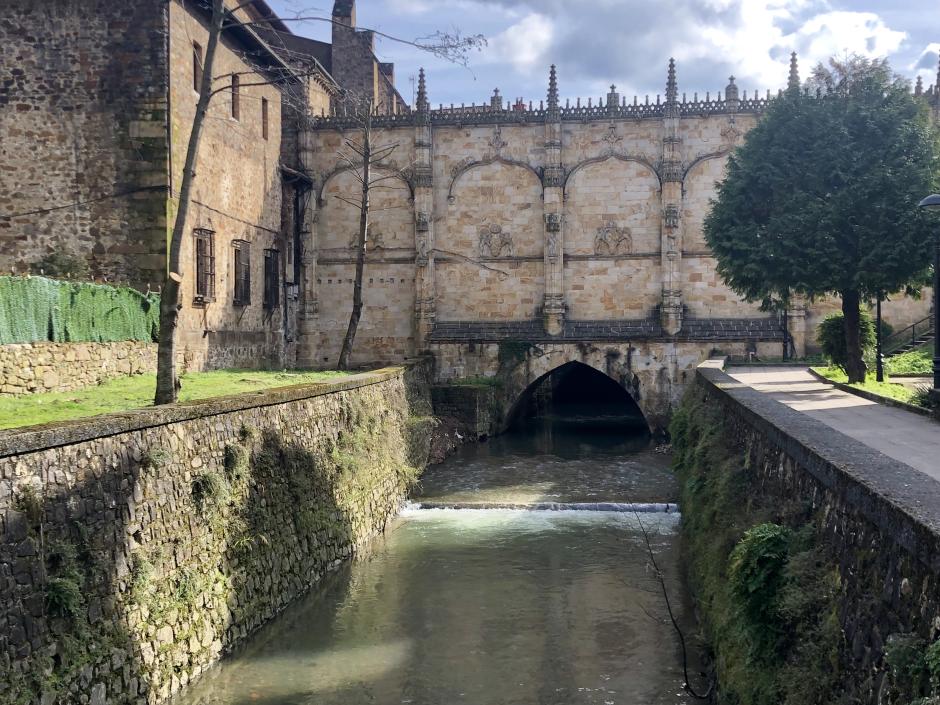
575	400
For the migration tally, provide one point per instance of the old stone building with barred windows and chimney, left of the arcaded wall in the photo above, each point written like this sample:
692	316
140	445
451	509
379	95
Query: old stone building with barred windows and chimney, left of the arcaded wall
96	104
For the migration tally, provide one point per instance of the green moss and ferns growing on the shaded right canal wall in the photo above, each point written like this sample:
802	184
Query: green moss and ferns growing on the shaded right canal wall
766	587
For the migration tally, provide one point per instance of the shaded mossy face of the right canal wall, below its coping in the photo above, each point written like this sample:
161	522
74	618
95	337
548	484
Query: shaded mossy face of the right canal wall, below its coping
800	600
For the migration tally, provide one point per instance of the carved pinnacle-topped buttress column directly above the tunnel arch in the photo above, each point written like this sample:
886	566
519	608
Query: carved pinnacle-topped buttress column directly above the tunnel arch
553	305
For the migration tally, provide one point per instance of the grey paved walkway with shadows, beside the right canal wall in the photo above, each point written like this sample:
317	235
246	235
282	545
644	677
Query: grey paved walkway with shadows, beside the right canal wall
899	434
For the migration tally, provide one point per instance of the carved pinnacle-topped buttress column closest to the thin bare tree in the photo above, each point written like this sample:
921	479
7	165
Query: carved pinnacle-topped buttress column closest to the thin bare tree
424	219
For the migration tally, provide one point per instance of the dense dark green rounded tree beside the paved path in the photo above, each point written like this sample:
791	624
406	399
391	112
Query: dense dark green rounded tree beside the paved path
822	197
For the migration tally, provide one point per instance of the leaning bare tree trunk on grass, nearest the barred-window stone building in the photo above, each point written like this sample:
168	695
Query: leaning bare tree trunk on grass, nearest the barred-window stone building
170	302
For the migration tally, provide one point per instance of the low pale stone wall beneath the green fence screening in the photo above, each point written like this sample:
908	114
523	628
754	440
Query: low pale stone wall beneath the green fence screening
58	367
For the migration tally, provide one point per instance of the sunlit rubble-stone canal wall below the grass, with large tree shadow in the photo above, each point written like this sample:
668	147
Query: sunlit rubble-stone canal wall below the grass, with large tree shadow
138	548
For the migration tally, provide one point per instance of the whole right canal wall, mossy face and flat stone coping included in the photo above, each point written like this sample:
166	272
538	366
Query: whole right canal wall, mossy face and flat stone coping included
810	560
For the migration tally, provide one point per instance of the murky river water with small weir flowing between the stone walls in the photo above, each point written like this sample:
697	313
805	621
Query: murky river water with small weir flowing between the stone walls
491	606
